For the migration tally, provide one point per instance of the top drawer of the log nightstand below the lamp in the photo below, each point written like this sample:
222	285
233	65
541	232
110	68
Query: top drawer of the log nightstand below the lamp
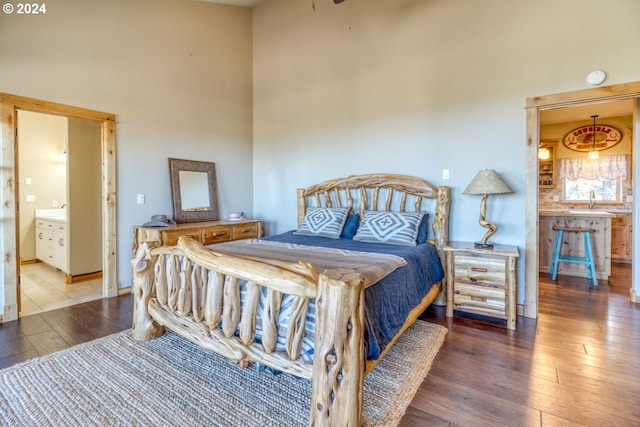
485	270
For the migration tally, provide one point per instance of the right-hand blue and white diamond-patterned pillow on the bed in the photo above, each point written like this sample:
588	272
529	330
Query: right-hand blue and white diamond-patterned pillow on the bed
396	228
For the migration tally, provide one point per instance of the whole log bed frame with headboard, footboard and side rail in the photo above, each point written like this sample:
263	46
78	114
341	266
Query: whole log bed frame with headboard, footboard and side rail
195	292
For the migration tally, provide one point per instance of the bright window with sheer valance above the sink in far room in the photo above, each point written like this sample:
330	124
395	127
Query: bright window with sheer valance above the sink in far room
603	176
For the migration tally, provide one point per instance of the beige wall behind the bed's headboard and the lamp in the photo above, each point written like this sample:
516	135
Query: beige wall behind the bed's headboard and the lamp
414	87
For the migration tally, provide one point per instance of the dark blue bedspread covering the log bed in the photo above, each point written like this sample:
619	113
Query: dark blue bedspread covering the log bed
387	303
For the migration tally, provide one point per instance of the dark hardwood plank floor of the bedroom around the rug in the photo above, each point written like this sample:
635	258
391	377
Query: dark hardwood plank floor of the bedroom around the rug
576	365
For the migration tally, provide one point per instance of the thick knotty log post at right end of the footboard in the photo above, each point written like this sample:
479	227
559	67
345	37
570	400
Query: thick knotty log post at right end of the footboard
338	365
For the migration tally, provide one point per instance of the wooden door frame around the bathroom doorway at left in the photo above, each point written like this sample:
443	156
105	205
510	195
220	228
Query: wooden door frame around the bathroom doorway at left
9	104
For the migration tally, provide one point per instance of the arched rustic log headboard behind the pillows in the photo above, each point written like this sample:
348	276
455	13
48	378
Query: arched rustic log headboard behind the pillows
390	192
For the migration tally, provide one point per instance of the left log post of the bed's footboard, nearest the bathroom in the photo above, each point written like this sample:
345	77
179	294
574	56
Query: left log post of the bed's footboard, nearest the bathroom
144	327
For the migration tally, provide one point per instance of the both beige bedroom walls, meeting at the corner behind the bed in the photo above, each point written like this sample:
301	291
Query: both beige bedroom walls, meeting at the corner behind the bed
404	86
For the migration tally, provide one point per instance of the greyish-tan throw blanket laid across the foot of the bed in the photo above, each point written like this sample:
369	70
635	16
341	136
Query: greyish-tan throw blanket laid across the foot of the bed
329	261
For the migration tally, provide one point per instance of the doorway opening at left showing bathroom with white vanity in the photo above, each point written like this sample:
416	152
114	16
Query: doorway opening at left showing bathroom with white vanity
60	211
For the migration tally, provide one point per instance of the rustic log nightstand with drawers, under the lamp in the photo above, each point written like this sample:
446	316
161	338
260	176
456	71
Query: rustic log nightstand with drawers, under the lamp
482	281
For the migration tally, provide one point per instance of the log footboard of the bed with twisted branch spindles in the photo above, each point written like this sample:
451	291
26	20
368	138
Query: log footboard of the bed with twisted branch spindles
195	292
